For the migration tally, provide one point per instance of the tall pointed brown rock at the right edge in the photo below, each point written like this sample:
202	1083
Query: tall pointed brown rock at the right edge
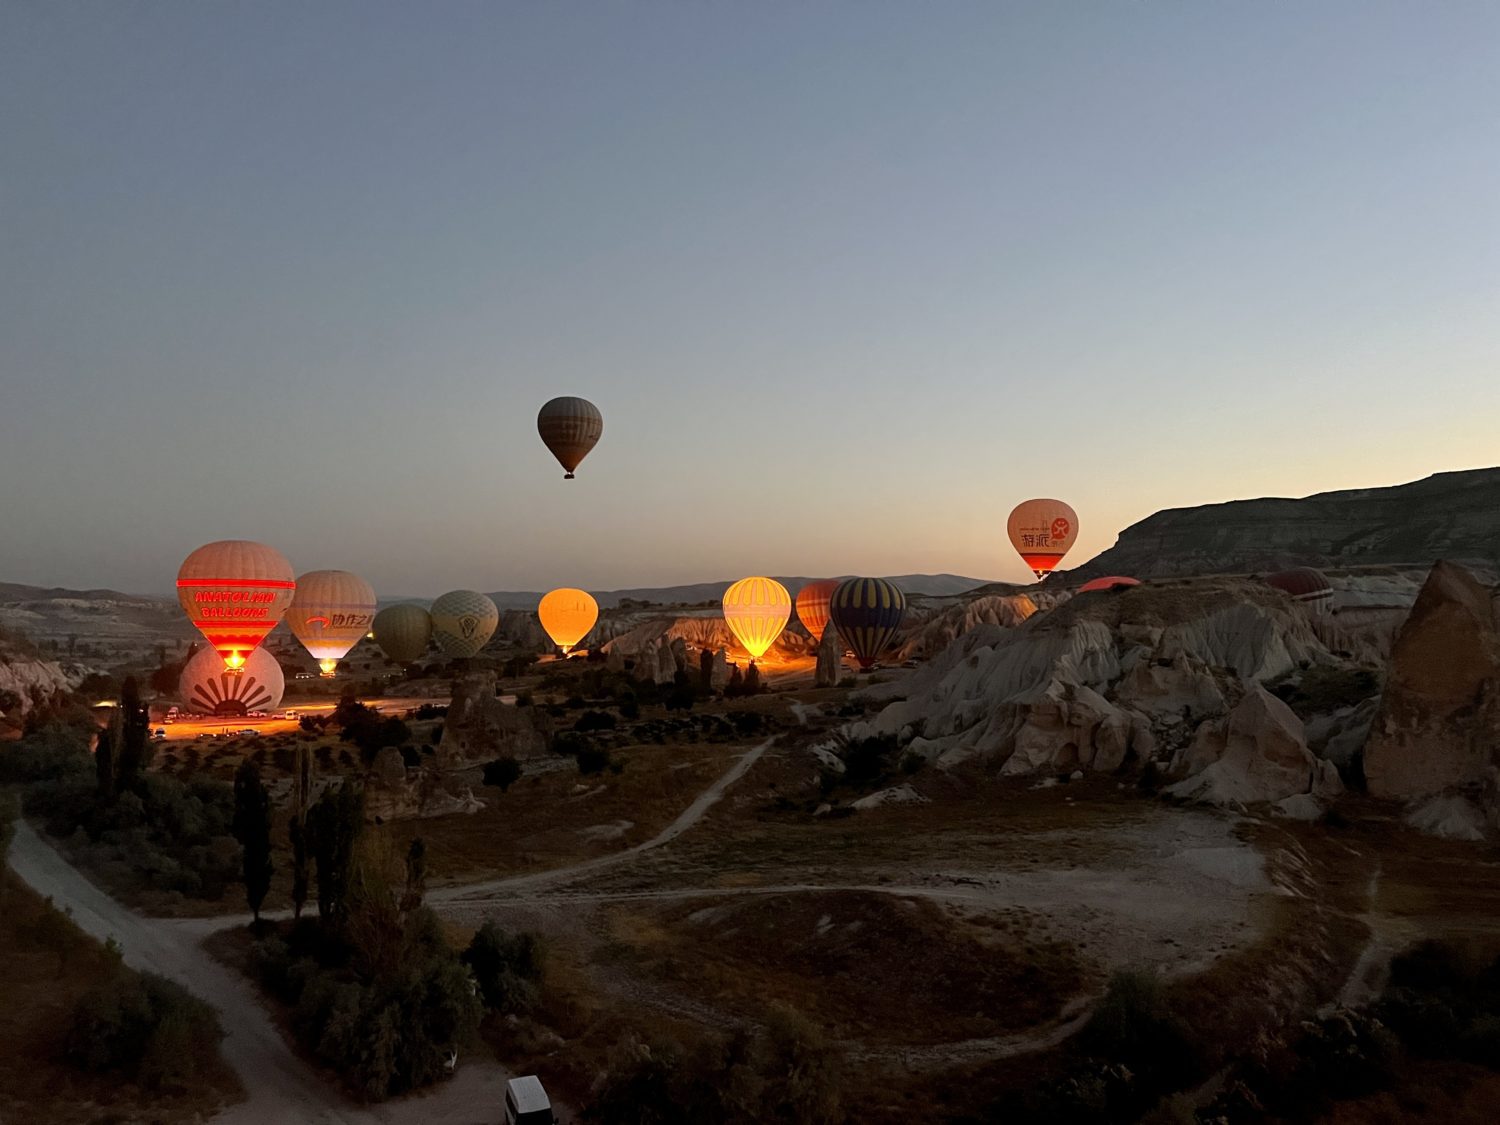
1439	719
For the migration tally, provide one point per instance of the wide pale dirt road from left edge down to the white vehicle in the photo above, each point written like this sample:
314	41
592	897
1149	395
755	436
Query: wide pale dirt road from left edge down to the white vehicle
281	1087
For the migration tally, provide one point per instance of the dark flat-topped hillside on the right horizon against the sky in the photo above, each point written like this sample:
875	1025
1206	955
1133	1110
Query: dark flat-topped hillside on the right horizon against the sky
1450	515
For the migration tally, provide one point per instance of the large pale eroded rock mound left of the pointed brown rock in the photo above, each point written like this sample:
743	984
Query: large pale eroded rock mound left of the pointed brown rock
1166	674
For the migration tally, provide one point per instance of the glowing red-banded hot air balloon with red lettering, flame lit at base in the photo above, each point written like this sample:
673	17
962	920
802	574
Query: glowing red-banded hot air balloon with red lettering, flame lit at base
235	592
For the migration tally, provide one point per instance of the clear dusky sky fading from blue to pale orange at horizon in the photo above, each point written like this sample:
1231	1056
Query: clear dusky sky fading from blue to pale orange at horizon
848	281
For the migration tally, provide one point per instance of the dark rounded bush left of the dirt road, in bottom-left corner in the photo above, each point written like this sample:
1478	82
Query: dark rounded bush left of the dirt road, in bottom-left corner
146	1027
